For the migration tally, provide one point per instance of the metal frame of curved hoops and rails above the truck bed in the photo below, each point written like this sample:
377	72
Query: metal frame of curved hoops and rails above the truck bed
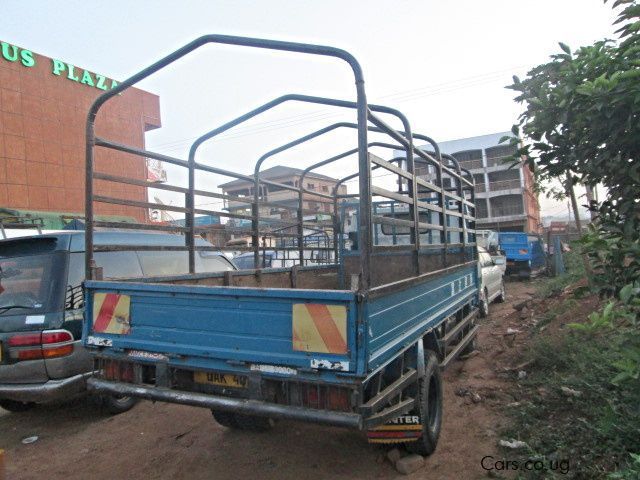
366	115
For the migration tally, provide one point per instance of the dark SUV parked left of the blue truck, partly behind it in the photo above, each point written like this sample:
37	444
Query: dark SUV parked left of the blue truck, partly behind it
41	307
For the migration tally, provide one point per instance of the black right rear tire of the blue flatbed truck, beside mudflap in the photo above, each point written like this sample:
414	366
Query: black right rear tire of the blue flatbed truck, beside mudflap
430	399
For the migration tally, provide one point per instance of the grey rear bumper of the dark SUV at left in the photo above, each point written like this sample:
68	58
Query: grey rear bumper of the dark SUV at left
45	392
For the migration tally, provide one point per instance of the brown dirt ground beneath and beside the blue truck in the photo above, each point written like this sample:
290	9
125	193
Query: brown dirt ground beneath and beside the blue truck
162	441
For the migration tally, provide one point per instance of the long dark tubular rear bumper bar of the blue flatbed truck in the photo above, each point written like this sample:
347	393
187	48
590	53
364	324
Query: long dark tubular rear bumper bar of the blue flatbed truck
237	405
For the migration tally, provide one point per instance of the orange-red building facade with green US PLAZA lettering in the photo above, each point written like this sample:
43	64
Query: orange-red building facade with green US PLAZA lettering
43	109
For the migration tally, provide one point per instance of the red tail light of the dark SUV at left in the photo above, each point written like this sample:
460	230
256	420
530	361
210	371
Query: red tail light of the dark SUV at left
47	344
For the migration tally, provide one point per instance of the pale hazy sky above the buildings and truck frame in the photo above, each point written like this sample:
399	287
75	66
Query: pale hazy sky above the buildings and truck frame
445	65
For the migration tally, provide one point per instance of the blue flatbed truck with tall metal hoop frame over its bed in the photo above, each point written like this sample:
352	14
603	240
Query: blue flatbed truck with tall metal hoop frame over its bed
357	343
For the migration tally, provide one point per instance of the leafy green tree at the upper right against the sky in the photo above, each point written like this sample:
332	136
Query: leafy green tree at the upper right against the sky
581	125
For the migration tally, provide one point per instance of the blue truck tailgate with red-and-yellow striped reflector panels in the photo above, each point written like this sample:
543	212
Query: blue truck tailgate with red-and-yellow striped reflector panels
190	324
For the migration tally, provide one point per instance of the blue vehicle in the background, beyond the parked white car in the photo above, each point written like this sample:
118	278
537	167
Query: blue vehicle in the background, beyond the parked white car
524	252
